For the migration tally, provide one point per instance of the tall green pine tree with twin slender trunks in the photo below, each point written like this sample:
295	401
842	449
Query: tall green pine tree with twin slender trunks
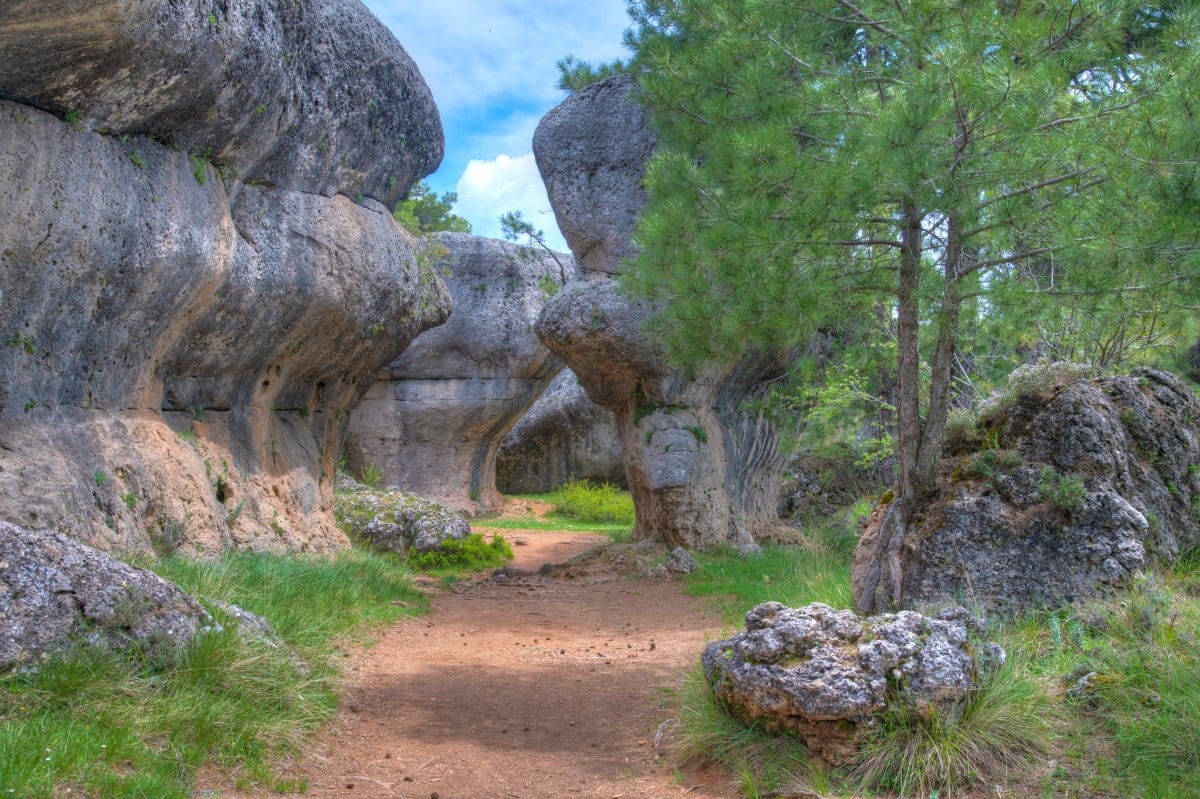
819	157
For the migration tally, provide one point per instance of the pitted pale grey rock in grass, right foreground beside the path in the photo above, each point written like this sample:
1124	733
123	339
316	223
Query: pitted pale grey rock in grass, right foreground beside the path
830	676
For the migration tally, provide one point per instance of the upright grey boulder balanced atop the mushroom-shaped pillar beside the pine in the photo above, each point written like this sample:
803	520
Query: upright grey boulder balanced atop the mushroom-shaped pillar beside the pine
592	153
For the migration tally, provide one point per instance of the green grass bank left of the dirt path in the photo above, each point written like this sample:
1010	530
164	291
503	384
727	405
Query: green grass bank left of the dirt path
117	726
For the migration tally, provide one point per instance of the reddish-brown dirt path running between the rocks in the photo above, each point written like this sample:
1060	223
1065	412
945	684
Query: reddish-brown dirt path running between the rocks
536	688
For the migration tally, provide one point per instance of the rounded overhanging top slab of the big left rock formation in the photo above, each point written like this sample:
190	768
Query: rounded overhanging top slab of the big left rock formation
309	95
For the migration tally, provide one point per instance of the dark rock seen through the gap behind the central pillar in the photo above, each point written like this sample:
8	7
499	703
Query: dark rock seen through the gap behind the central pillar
563	437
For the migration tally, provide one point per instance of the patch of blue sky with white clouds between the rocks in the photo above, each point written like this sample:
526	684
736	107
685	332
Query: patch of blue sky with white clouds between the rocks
491	68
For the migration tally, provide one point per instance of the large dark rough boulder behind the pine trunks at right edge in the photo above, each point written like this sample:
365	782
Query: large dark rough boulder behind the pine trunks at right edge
1099	483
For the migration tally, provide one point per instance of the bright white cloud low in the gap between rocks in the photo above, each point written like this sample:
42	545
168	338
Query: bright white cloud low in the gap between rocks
489	189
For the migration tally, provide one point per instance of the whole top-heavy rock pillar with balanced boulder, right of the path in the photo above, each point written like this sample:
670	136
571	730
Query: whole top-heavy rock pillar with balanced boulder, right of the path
703	470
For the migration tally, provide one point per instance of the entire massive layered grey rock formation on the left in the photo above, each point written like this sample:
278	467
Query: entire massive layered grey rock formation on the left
184	341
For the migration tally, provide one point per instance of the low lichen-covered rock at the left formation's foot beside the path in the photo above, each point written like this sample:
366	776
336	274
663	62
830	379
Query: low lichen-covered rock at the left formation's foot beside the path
394	521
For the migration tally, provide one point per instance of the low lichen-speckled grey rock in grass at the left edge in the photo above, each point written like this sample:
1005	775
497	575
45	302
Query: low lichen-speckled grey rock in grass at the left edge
56	592
